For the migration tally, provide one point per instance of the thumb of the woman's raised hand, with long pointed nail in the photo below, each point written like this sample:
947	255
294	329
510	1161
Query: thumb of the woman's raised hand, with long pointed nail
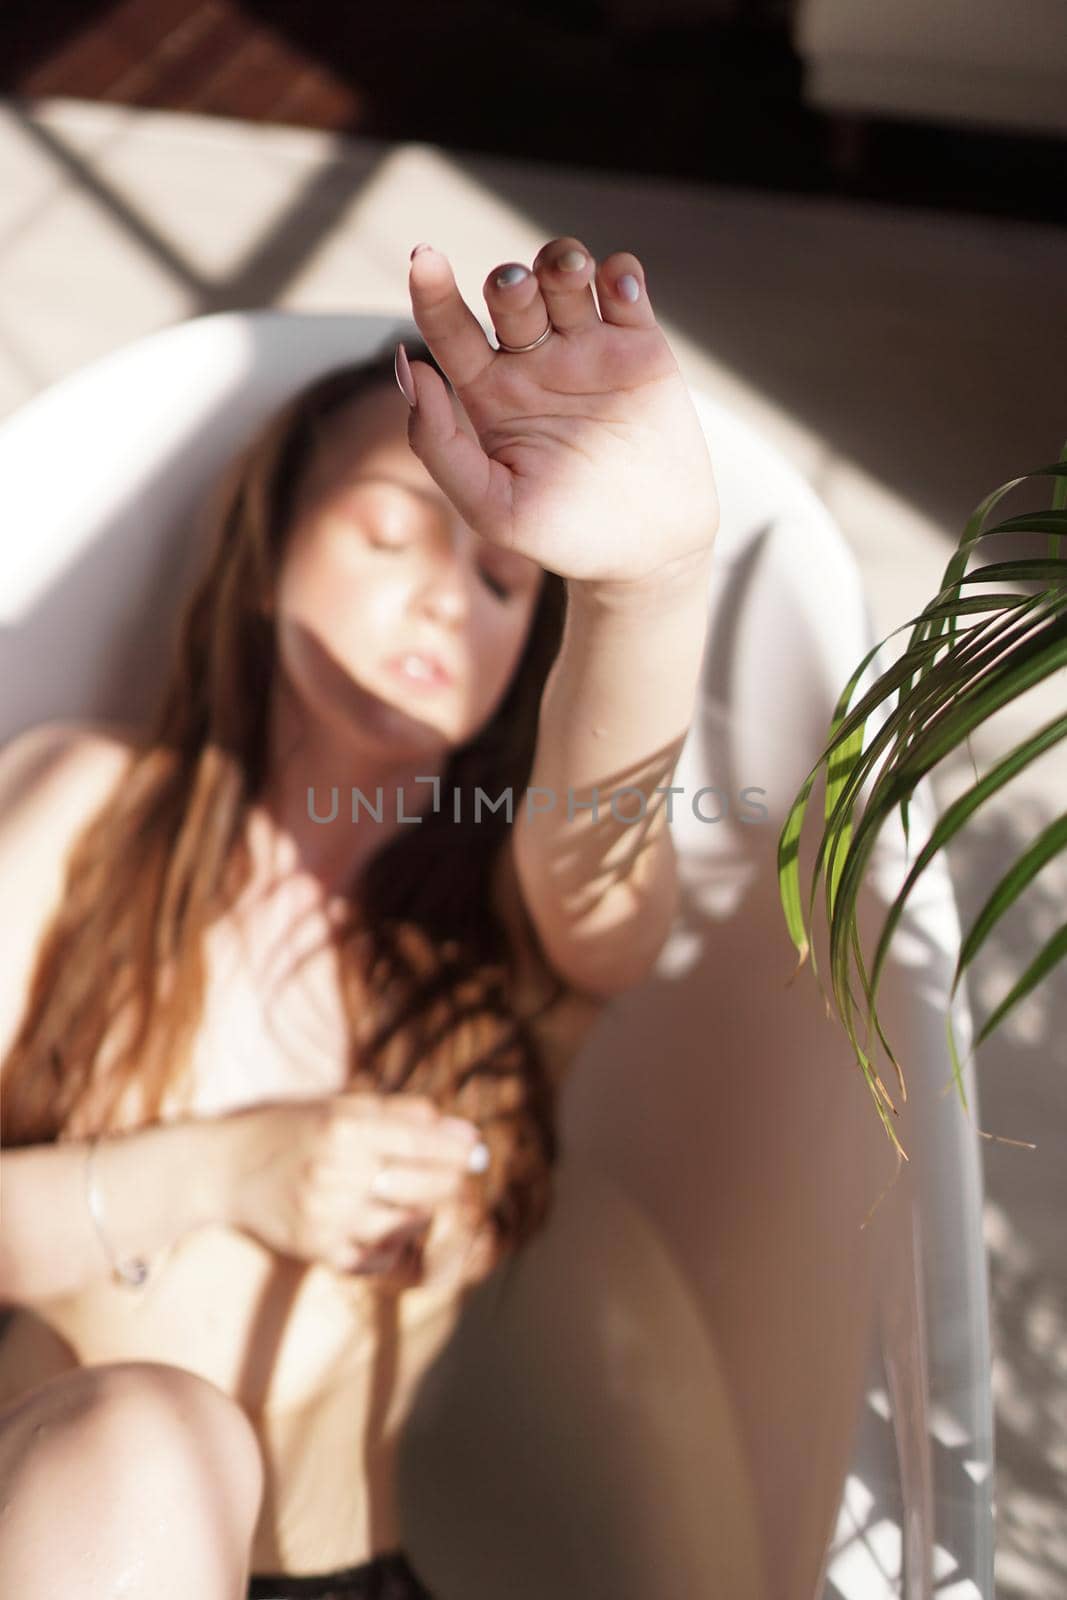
479	489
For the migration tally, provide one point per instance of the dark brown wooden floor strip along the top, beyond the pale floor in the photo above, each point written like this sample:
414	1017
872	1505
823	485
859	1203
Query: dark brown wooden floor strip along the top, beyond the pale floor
551	81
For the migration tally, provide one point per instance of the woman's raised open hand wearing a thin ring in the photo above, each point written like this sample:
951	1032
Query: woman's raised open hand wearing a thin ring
585	454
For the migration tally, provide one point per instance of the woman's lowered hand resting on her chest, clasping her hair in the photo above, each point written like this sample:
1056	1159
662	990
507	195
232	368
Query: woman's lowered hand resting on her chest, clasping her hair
354	1182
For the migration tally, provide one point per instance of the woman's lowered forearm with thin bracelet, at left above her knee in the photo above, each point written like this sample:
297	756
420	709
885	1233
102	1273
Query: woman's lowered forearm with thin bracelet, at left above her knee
153	1185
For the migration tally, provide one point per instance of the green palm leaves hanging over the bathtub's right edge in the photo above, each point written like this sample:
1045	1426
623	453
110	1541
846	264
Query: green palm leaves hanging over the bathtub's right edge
977	647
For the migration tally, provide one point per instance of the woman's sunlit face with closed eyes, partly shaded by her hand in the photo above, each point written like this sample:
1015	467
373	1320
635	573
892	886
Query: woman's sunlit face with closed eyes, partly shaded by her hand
394	620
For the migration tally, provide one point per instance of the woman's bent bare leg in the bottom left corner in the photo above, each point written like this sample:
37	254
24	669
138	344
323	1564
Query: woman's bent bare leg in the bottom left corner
132	1478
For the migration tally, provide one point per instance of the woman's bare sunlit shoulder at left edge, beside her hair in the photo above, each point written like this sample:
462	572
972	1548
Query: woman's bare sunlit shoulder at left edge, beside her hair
54	780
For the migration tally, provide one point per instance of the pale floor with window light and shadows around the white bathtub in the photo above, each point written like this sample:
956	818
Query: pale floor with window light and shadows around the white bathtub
906	361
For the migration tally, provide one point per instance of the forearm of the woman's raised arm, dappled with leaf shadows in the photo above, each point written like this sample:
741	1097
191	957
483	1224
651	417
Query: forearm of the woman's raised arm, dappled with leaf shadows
594	844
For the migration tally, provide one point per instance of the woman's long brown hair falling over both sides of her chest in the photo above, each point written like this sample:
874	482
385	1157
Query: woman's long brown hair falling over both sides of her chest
169	854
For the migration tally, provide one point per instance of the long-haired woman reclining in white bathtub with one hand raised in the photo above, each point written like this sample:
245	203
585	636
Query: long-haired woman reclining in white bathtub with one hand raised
244	1202
